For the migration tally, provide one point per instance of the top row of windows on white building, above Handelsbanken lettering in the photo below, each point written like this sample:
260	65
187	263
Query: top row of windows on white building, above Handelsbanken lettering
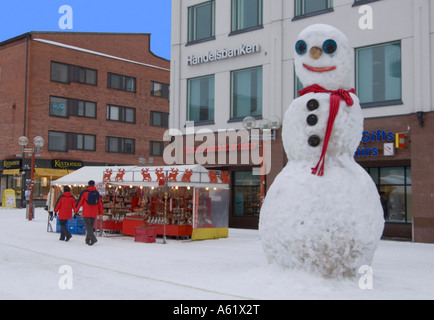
246	15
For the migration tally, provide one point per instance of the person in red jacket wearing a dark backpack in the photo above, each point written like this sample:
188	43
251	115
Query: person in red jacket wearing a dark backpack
91	201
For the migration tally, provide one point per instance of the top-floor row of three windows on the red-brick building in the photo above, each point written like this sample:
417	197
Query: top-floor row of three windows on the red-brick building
67	73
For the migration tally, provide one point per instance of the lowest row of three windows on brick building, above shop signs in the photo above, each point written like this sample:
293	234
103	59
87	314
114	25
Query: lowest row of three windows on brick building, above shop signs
64	141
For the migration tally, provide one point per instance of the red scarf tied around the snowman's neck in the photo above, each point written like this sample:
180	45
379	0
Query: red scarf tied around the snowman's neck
335	99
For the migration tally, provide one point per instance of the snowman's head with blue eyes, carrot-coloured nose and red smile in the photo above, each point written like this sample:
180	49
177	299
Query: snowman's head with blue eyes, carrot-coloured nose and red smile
324	56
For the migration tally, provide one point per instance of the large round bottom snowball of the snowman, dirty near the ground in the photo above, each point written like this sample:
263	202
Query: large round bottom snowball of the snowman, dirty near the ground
328	225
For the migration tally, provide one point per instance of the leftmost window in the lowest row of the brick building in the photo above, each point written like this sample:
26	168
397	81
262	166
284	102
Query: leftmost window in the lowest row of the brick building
64	141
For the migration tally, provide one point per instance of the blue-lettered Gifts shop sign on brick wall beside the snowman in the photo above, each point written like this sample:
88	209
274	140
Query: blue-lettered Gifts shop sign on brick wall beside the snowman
375	136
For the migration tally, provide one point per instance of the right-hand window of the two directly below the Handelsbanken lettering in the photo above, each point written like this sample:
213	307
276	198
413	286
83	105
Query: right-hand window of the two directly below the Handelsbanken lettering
246	92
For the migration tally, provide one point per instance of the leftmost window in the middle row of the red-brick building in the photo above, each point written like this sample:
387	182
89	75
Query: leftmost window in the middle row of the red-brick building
64	107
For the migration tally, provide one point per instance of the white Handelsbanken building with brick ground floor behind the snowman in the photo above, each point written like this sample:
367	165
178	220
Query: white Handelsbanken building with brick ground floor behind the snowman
235	58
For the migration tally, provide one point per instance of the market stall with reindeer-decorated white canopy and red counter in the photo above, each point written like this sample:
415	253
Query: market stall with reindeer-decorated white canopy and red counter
176	201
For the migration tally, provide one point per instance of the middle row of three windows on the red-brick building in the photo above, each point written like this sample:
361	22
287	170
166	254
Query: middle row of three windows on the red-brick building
65	107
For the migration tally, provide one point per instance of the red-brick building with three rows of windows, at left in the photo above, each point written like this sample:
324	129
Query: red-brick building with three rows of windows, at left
95	98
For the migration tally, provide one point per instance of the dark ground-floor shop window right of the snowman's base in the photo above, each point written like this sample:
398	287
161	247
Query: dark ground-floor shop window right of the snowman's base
394	185
